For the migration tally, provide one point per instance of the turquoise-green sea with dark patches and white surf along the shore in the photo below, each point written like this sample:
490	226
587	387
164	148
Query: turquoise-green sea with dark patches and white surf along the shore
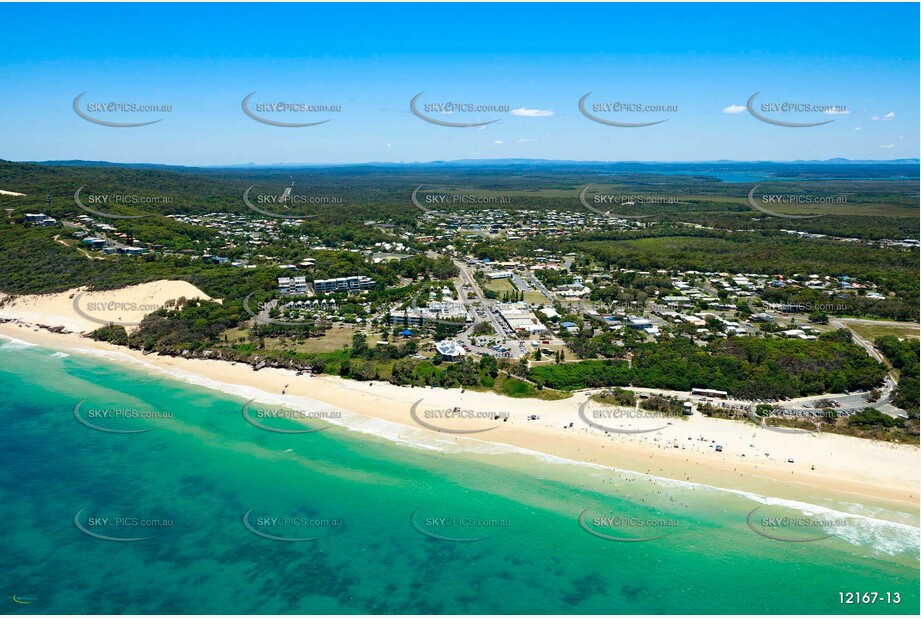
372	508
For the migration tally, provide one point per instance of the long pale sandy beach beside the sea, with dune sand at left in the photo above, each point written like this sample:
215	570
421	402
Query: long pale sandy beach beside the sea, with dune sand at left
752	459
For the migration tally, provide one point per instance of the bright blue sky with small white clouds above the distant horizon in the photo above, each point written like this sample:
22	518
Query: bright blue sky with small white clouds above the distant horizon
700	64
